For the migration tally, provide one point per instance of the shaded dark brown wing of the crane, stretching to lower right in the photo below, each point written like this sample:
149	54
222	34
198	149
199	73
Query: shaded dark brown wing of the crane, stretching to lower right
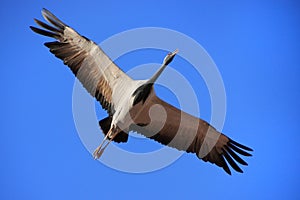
172	127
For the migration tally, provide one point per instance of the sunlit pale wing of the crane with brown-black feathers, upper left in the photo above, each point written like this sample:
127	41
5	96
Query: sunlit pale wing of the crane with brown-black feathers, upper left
98	74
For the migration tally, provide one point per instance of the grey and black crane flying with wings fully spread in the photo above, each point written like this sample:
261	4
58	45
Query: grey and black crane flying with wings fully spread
132	105
